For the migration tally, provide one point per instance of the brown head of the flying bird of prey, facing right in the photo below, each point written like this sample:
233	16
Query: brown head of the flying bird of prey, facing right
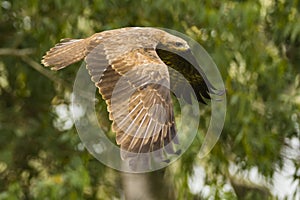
172	43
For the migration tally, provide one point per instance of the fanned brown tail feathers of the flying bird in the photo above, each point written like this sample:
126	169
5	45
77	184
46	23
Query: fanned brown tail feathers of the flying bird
66	52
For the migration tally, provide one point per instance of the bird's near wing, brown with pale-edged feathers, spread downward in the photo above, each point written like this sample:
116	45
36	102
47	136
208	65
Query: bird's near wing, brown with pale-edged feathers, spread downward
135	84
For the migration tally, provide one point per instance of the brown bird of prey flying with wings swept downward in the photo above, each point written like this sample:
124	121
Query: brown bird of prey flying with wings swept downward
129	66
